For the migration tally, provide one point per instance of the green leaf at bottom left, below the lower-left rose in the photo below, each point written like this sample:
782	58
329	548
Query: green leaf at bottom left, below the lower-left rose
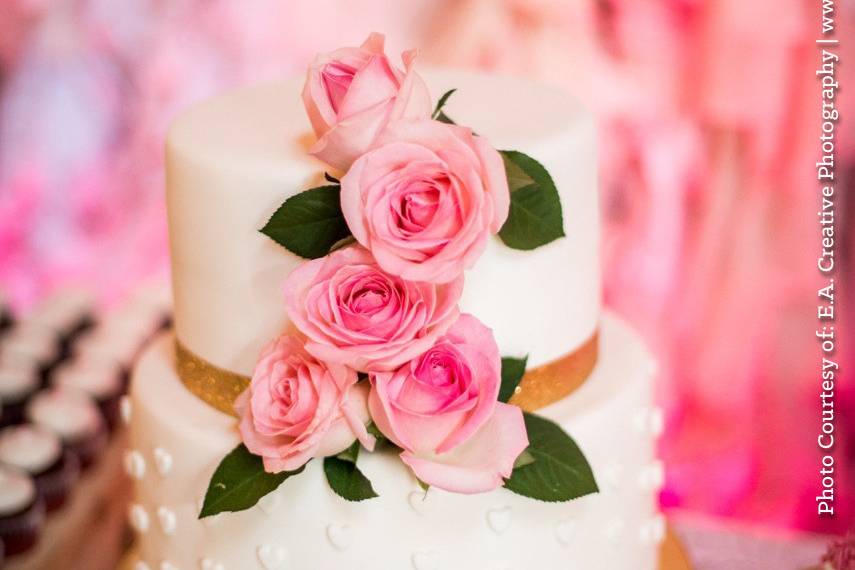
239	482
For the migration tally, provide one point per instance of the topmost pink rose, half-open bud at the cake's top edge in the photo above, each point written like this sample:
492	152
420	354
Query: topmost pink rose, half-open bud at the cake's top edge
351	93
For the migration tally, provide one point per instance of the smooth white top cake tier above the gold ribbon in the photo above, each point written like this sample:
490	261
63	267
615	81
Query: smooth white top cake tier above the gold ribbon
232	160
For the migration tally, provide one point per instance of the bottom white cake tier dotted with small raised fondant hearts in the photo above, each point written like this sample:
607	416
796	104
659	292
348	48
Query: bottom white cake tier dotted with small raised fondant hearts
177	441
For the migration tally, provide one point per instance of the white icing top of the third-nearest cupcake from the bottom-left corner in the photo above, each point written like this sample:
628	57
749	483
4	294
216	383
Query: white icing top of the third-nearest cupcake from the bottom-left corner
67	413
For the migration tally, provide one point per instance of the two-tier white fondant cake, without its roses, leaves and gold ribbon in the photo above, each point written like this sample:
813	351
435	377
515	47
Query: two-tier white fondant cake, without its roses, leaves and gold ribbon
230	163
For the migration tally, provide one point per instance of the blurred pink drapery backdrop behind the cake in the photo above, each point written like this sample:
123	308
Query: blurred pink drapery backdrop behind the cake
709	115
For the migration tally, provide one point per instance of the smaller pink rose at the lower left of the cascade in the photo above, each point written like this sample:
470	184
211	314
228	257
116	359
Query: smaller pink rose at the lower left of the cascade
297	408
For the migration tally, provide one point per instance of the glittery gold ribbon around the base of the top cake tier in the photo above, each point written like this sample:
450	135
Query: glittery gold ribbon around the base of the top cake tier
541	386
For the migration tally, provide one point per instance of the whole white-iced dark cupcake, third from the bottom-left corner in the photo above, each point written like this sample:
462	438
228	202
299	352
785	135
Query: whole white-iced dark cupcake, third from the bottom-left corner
74	418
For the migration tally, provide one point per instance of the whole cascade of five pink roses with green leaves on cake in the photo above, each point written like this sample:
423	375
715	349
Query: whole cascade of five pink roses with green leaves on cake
381	355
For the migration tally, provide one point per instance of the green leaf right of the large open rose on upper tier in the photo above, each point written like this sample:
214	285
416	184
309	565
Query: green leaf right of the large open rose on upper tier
535	216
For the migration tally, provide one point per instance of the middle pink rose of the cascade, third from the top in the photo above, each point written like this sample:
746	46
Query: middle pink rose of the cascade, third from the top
355	314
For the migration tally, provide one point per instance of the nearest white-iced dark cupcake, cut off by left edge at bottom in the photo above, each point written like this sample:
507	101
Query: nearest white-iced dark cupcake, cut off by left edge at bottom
22	512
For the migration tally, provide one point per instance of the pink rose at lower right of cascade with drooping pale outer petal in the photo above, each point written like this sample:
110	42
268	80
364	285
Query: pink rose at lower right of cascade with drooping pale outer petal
442	409
